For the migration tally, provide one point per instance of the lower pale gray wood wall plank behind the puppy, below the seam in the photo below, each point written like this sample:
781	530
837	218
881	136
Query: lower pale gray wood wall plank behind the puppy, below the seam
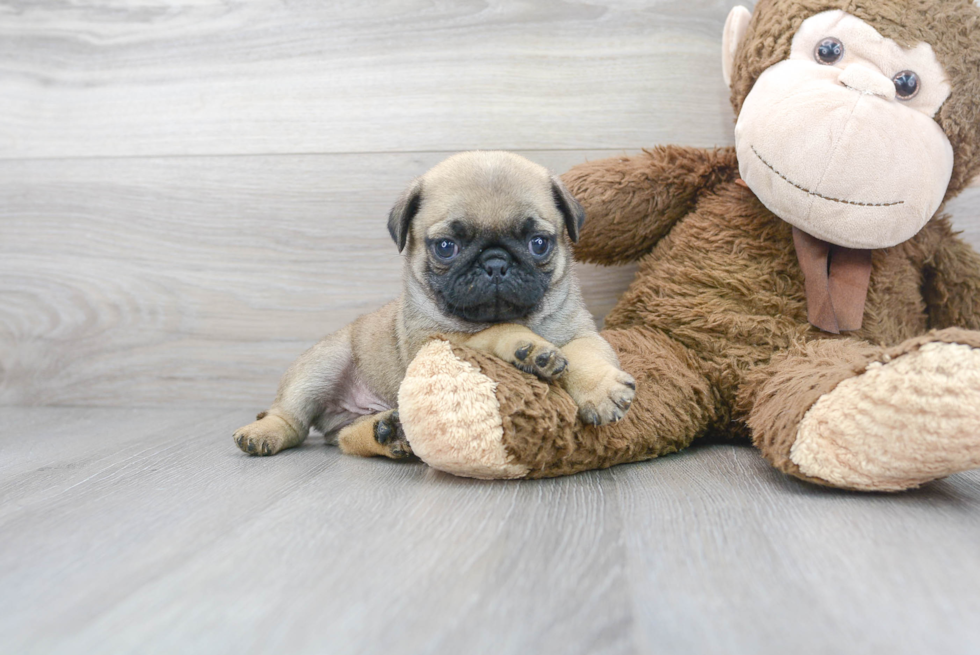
197	280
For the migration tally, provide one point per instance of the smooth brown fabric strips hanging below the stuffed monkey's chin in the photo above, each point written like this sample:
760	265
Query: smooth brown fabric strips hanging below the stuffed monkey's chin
836	282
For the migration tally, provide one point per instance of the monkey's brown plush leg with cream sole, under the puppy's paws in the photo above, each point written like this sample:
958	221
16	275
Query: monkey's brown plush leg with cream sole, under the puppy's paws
471	414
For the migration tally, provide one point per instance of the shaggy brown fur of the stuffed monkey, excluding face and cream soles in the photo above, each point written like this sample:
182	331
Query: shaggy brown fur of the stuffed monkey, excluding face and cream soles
714	326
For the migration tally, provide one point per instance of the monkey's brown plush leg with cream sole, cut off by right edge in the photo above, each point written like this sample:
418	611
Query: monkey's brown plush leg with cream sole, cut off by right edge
847	414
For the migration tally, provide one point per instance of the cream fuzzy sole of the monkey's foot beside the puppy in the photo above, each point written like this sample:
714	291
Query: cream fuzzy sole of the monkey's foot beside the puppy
451	416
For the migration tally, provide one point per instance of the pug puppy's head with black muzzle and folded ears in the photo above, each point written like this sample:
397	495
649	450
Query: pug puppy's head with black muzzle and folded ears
486	235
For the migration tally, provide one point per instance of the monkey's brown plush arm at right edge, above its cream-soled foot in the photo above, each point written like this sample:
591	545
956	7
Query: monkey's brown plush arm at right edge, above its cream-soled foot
952	283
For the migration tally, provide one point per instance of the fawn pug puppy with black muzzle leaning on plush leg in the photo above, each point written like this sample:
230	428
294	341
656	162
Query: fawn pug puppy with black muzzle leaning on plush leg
488	264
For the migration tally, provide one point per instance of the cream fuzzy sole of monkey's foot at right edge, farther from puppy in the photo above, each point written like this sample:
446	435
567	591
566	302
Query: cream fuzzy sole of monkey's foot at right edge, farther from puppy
899	424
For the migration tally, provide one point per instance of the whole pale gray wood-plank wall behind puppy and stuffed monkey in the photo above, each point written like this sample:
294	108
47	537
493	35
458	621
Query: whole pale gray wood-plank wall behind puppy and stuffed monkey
194	191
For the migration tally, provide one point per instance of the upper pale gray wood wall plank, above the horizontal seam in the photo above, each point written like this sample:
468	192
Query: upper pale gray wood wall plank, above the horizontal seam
105	78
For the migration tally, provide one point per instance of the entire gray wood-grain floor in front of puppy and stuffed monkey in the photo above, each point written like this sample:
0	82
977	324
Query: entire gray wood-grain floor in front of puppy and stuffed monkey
147	531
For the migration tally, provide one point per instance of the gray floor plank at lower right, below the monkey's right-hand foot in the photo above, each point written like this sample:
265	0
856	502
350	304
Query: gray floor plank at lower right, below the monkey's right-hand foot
775	565
